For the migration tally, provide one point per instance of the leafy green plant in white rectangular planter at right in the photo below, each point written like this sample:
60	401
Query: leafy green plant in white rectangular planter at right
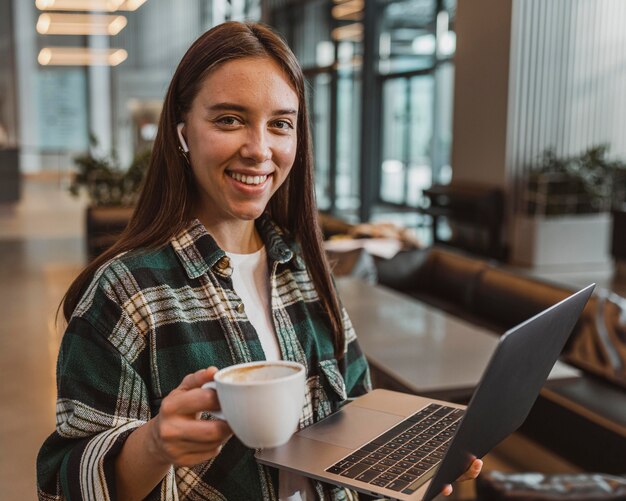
565	214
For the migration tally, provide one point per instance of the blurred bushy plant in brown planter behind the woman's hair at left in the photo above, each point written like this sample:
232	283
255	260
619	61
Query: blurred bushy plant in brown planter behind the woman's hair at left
112	192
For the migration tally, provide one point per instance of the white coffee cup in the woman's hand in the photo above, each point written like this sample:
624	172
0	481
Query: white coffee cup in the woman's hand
261	401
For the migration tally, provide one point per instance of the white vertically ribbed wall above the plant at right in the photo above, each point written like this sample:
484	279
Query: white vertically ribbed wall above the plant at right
568	79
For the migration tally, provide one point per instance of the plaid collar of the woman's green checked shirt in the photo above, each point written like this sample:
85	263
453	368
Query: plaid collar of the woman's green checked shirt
198	251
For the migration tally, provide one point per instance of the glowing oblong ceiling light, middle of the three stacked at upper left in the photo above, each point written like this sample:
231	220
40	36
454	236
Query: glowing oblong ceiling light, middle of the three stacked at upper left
80	24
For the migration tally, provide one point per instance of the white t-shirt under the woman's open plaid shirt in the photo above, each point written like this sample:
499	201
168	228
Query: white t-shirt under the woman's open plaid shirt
251	281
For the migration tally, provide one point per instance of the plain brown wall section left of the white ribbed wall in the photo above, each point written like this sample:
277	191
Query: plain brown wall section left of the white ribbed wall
481	90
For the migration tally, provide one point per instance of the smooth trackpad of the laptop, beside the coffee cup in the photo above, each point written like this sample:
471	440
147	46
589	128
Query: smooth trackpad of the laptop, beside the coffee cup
351	427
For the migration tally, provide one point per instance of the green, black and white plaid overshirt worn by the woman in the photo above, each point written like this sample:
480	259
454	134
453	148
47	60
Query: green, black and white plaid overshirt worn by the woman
151	317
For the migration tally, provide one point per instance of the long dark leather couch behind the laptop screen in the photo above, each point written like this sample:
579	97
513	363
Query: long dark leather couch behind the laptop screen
583	420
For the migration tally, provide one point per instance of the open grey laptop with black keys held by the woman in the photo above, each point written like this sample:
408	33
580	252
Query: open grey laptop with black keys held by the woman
406	447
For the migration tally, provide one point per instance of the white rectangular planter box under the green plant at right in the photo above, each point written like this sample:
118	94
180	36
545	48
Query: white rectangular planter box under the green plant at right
562	240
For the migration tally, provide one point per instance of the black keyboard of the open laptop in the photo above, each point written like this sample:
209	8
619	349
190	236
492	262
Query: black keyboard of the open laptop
400	457
